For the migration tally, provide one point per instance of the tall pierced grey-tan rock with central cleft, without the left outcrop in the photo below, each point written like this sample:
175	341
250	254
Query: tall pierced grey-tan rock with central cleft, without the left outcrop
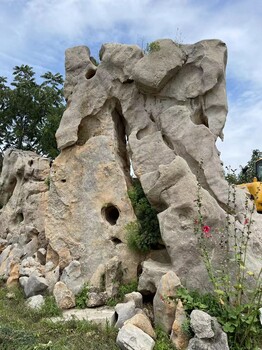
164	110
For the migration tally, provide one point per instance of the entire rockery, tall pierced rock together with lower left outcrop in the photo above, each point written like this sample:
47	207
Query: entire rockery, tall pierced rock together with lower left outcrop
161	111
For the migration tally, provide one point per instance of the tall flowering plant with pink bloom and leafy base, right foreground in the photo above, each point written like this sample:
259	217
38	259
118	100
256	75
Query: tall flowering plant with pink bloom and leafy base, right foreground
236	297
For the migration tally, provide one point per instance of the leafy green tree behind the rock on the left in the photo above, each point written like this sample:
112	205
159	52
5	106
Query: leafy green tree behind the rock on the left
30	112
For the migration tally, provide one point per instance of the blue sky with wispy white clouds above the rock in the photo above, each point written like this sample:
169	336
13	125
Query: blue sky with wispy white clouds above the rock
37	32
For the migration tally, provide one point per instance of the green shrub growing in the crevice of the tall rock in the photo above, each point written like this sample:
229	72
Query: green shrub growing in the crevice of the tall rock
144	234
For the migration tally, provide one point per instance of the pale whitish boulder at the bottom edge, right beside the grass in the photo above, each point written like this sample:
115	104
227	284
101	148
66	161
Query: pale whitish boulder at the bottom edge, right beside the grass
131	337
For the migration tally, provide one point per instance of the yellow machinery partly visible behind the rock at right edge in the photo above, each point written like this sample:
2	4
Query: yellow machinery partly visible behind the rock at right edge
255	187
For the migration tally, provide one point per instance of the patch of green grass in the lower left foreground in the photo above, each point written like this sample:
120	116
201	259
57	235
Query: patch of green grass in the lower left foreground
25	329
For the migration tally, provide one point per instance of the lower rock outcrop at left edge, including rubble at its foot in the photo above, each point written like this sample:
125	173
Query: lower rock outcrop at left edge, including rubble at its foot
23	199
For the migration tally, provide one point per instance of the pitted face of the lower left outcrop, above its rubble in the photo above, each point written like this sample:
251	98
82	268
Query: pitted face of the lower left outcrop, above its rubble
23	196
